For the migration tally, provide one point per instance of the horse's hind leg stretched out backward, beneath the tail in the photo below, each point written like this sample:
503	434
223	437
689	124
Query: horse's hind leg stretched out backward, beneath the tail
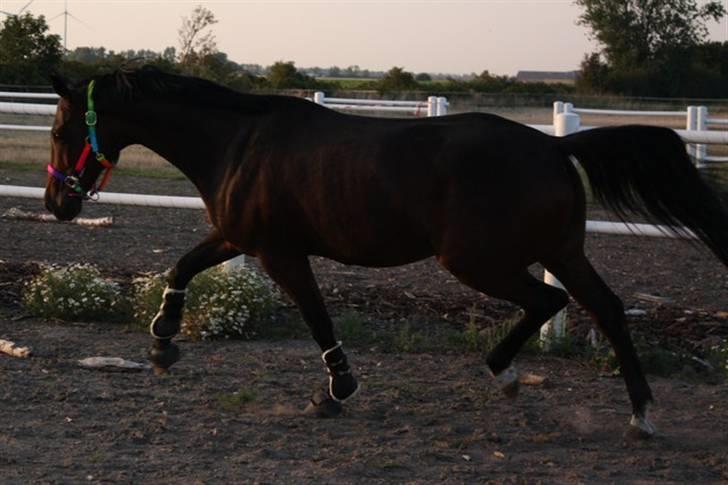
587	288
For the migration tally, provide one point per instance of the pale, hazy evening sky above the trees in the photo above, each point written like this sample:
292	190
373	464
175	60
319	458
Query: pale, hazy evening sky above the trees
446	36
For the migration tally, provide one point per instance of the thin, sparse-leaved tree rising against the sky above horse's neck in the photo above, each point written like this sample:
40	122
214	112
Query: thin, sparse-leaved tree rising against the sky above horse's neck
196	39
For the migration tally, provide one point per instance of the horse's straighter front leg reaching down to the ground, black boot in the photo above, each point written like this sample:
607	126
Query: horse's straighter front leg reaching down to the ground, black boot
293	274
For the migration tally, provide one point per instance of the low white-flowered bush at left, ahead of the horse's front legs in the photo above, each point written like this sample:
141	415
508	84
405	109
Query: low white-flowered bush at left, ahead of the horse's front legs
76	292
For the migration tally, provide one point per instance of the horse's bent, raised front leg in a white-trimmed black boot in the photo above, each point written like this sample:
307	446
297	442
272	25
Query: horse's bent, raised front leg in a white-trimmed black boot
166	323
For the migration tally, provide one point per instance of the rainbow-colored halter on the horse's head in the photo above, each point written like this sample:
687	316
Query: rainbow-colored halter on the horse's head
73	181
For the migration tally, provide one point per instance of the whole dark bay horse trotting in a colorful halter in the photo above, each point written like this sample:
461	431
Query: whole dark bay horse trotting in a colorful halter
284	178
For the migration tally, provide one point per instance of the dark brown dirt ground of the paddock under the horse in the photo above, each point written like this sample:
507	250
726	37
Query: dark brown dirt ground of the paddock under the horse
423	417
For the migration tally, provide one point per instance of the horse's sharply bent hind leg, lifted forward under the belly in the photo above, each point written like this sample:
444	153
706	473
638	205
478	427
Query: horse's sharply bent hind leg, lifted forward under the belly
538	300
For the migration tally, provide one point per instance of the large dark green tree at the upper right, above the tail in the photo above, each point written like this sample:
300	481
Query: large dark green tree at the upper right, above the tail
647	45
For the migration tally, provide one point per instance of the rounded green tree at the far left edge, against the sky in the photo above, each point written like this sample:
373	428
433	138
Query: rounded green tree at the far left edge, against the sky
28	54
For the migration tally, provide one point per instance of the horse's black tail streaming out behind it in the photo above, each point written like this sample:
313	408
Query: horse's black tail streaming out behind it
646	170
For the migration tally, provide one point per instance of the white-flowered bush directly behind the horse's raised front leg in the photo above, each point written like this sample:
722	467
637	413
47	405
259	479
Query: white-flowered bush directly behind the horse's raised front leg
219	304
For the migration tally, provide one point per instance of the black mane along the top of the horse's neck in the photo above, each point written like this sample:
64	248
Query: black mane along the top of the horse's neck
150	84
